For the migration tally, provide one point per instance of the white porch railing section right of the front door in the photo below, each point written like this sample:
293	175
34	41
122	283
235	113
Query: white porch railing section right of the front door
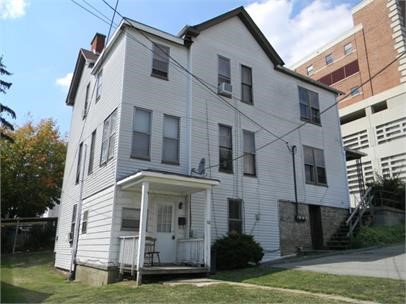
190	251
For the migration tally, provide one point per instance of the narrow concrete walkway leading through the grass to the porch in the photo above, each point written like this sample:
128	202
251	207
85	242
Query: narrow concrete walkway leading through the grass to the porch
208	282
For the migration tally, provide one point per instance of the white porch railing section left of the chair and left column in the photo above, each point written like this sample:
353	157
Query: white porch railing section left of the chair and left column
128	253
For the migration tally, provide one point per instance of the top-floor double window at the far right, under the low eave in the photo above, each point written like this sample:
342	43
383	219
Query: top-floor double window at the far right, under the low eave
309	106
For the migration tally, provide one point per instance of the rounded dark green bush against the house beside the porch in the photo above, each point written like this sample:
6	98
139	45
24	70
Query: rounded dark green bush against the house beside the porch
237	251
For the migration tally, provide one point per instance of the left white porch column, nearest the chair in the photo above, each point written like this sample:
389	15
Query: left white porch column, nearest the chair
142	230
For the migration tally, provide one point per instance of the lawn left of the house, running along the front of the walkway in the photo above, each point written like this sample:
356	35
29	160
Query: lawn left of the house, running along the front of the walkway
32	278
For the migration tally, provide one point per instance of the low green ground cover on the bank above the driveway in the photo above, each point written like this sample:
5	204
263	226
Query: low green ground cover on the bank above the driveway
380	235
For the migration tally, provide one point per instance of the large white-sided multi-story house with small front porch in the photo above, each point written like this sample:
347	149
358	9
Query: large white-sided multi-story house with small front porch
176	140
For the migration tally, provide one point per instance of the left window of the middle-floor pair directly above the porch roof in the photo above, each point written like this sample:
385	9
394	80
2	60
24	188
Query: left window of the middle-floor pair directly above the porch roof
141	134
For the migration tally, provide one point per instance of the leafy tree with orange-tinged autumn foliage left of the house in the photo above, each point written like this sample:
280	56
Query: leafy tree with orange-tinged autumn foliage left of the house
32	170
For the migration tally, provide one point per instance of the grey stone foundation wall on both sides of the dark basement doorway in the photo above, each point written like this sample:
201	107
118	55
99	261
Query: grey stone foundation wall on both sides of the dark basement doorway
294	235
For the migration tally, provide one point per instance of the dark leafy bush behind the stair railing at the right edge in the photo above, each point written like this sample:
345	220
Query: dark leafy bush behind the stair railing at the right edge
388	191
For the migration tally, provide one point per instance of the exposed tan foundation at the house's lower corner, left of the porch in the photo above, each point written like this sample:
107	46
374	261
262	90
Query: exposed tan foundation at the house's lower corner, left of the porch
96	276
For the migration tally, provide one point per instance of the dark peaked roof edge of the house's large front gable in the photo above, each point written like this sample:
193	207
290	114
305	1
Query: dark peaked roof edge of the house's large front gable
248	22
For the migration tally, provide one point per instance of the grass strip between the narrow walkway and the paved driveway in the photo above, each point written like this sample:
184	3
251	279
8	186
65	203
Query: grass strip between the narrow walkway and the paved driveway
362	288
